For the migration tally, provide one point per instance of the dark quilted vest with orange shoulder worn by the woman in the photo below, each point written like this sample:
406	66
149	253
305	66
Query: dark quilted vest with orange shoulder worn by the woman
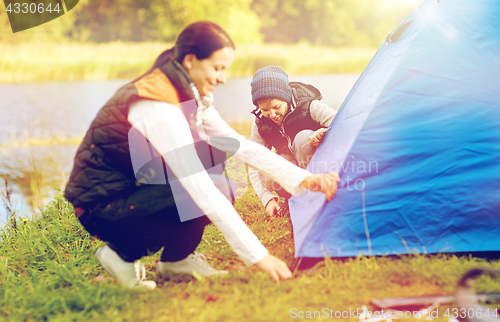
102	169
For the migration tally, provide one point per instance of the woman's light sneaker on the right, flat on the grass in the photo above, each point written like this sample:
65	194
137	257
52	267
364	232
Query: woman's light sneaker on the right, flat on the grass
195	262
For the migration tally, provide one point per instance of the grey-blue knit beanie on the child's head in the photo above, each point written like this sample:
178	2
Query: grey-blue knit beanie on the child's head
271	82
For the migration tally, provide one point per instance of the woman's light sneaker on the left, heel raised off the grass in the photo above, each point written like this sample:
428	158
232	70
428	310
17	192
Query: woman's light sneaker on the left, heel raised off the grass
126	274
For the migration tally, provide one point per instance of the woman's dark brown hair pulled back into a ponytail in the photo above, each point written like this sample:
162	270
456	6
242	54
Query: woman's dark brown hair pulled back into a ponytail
201	38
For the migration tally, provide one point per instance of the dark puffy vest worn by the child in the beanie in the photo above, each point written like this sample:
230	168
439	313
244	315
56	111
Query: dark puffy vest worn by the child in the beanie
297	119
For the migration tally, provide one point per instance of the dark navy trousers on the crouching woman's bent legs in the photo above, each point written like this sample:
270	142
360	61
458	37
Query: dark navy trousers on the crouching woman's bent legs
147	220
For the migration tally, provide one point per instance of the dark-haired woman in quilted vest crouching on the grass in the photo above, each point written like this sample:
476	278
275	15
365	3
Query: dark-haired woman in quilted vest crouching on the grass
128	203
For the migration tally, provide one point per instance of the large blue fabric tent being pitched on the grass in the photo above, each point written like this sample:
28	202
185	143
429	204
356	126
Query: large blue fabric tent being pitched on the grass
416	143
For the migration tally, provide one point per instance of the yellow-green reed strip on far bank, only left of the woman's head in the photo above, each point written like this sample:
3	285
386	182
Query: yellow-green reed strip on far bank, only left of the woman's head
70	61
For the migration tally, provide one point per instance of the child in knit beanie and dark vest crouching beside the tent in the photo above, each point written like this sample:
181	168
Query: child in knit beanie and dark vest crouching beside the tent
290	117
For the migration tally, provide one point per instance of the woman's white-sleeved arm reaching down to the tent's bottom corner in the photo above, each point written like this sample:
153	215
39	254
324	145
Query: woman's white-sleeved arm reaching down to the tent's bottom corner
166	128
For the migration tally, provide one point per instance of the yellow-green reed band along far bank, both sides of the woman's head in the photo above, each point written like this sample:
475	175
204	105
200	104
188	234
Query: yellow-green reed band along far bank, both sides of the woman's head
92	62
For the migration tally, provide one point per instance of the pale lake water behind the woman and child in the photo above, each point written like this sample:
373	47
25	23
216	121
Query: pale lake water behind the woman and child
46	110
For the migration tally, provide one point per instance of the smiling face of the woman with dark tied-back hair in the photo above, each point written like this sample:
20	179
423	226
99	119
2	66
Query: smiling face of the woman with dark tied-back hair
209	72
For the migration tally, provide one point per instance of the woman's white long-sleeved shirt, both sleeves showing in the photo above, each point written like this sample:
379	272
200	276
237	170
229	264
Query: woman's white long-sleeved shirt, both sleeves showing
166	127
